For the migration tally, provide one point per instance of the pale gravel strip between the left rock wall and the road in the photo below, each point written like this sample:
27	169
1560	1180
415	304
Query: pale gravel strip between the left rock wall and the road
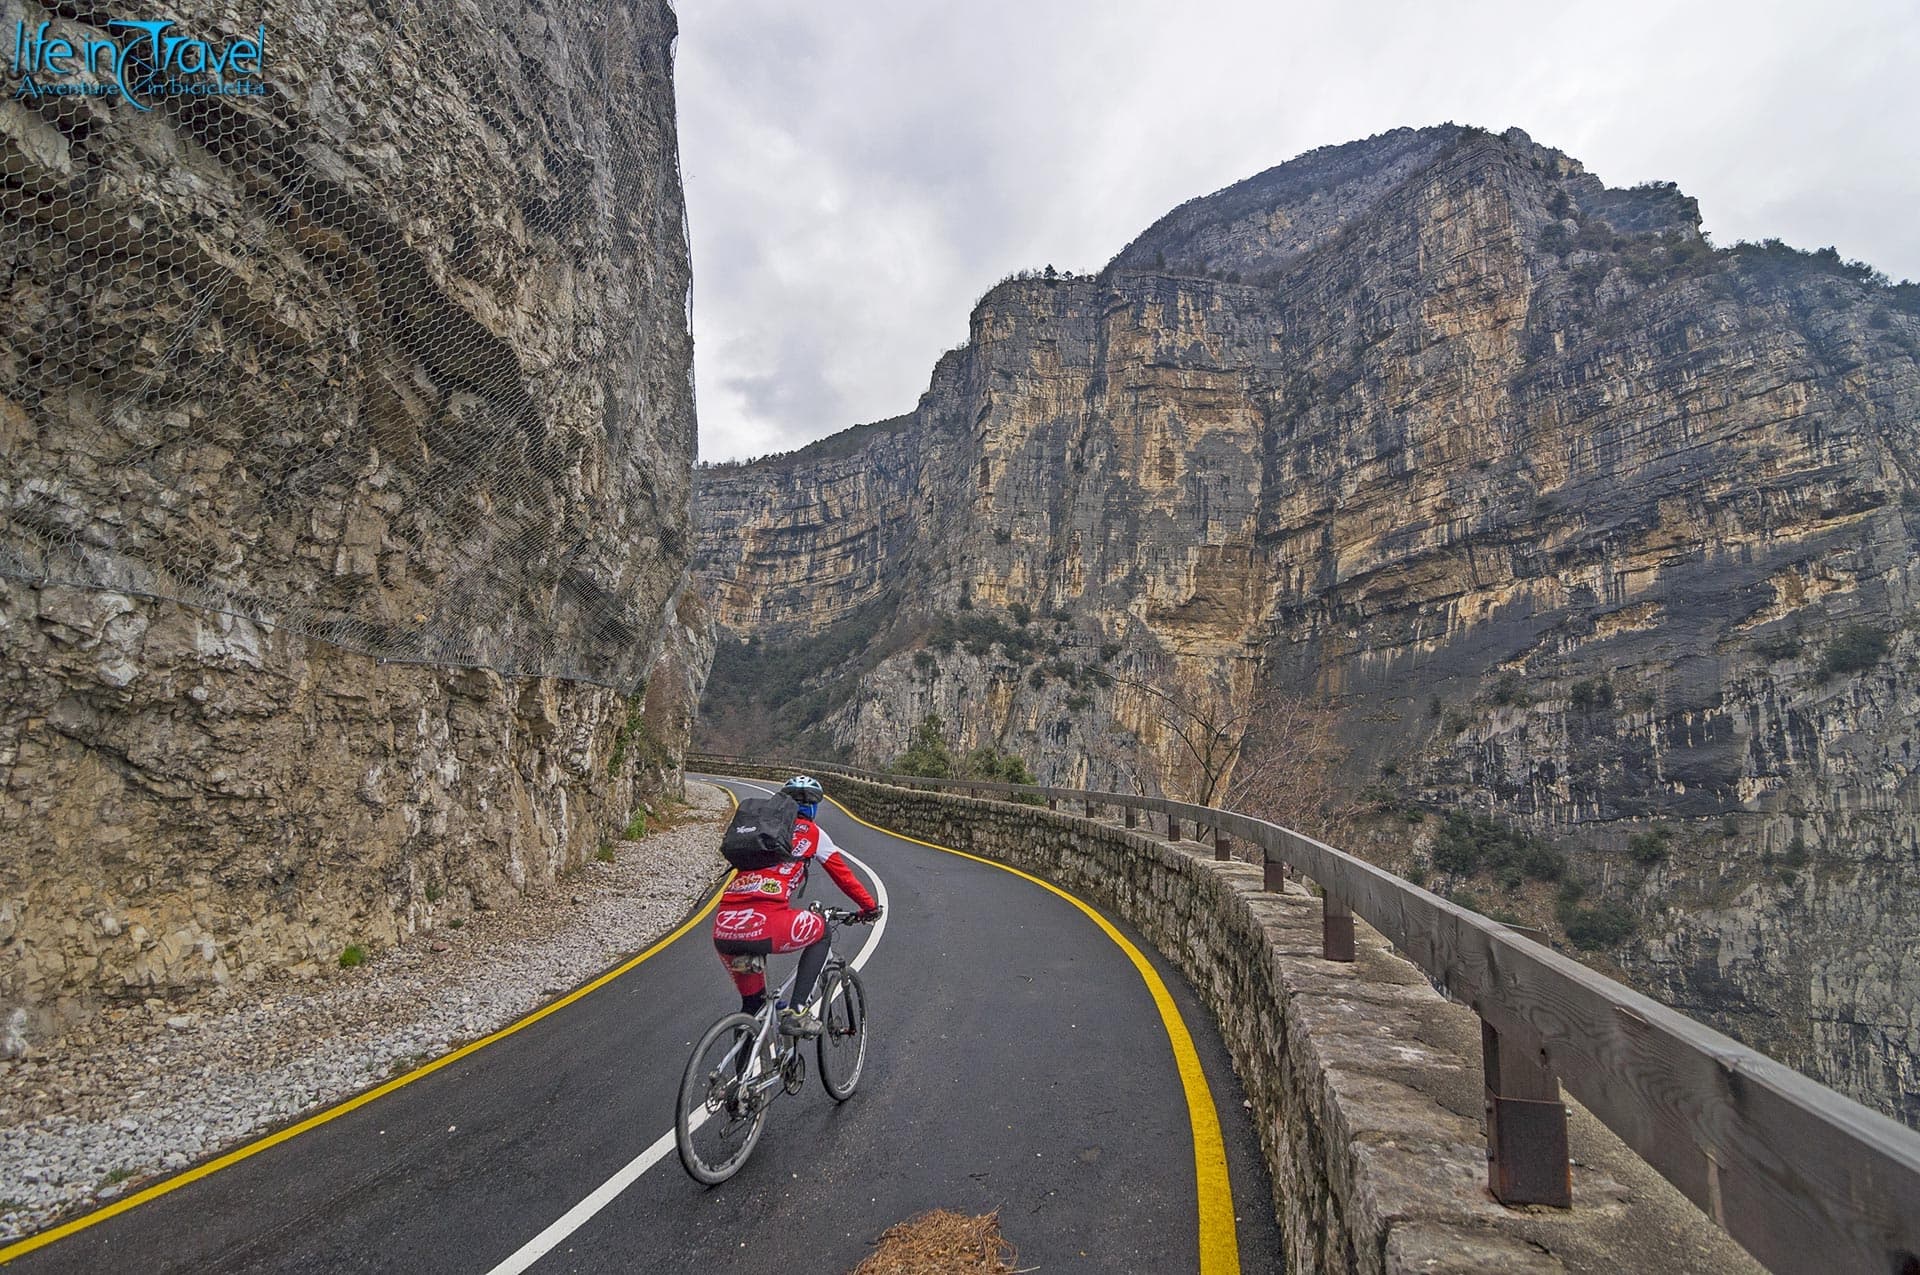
147	1092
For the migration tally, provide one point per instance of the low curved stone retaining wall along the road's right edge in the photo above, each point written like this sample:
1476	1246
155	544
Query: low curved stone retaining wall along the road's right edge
1364	1082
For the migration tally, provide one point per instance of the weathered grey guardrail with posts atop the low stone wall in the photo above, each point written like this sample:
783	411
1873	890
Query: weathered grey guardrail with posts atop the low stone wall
1808	1180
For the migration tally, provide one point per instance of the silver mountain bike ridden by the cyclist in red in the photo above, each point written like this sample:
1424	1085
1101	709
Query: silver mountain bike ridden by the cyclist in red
744	1063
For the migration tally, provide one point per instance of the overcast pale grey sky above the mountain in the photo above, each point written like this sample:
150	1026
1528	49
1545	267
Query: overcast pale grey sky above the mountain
859	174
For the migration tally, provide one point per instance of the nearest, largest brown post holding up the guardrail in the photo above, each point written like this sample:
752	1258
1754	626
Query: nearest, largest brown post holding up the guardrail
1525	1126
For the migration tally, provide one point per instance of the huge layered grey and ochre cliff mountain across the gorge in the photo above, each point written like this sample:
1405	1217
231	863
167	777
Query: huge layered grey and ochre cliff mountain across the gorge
1579	521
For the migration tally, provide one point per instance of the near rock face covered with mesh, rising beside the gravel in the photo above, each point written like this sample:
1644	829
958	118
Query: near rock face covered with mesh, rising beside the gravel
348	437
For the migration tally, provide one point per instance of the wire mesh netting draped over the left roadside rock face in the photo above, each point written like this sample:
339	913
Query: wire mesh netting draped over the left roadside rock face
362	320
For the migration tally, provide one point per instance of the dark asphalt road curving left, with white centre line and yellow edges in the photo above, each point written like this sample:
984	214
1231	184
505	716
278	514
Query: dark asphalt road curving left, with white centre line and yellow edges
1019	1063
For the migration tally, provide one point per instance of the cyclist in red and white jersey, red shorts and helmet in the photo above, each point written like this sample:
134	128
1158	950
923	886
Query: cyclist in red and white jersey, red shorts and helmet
757	915
